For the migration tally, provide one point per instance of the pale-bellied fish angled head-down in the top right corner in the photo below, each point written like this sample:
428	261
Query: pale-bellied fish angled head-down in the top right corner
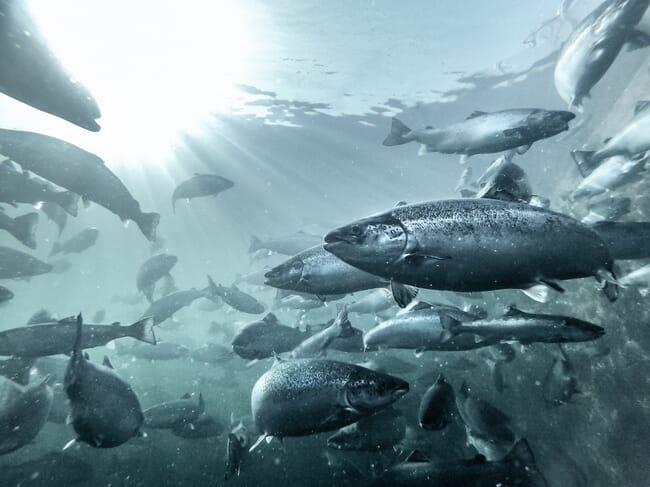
593	46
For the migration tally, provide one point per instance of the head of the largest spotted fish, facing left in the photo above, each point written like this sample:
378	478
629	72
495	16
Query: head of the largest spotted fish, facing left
378	239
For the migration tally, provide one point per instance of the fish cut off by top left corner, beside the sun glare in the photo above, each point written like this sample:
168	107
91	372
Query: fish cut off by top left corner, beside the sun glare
31	73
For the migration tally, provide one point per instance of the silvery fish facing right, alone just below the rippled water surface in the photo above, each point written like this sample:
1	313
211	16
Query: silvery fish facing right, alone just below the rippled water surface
485	132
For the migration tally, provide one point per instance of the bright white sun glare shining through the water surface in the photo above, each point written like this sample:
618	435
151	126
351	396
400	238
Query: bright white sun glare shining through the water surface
156	68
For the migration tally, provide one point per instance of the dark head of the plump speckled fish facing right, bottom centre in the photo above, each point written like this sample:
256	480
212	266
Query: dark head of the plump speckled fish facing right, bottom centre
370	391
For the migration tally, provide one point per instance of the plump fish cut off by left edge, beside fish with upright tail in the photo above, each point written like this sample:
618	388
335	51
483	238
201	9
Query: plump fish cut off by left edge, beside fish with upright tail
23	412
